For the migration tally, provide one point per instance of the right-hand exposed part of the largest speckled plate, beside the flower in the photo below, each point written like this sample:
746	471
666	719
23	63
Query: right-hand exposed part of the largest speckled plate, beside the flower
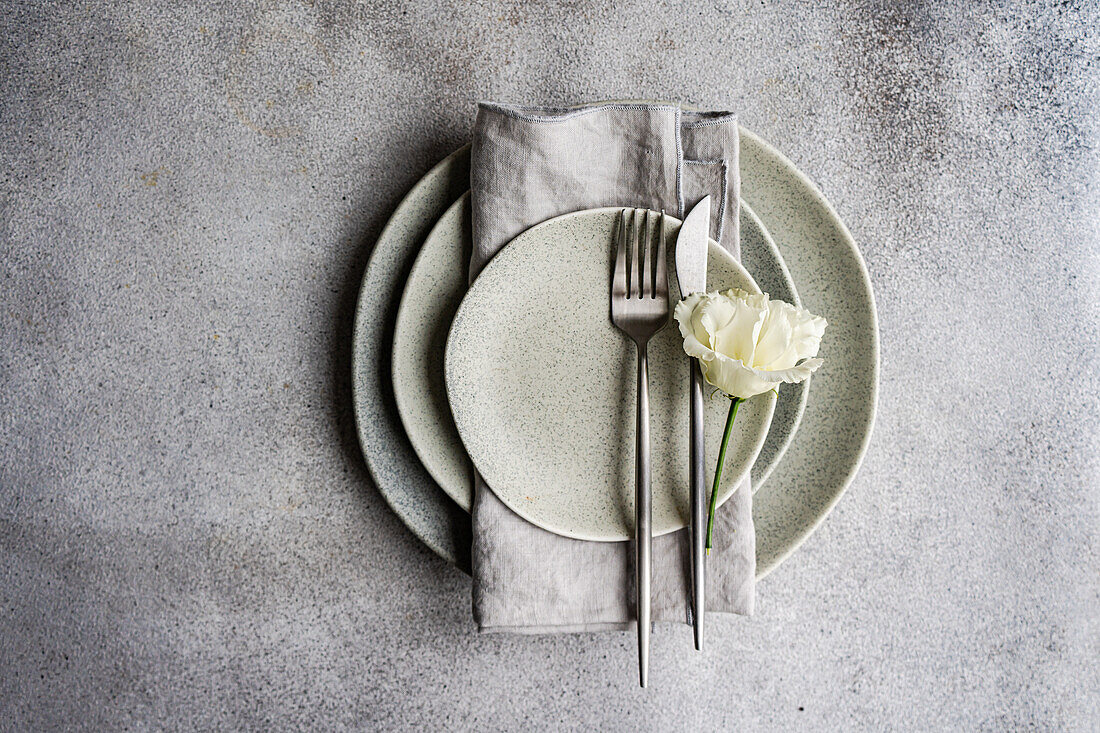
833	281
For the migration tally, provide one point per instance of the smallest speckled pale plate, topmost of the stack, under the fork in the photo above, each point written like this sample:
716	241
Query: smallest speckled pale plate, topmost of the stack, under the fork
542	386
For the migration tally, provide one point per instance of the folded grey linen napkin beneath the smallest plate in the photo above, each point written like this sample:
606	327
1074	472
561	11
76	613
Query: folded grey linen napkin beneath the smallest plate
532	165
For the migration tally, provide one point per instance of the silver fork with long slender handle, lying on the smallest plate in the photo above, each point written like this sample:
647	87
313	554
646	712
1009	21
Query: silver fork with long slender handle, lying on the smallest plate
641	309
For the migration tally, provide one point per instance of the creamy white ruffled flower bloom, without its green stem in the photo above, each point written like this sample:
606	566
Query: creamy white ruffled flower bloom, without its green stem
750	344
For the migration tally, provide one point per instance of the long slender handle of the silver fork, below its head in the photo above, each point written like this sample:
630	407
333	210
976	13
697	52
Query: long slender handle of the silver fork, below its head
643	518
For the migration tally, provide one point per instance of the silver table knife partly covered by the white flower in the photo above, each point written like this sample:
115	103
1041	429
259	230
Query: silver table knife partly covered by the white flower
691	273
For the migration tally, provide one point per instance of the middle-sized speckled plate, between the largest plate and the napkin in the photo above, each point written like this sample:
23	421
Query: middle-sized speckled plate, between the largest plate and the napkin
433	294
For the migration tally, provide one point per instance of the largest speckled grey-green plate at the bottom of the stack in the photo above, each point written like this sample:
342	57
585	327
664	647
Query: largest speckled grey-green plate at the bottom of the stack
832	281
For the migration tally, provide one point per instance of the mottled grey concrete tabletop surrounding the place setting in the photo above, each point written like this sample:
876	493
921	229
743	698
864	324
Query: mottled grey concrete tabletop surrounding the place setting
189	196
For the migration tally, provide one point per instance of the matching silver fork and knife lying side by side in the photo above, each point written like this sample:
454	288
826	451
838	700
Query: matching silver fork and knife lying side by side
641	309
